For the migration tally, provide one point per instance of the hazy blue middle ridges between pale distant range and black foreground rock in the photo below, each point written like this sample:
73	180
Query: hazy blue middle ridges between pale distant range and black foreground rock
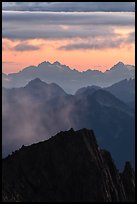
39	110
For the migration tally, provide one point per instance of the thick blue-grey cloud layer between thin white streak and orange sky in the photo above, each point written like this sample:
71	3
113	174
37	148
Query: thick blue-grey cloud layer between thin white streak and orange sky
31	25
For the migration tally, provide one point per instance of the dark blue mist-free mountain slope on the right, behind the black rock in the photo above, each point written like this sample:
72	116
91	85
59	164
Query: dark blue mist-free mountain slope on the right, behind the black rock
112	120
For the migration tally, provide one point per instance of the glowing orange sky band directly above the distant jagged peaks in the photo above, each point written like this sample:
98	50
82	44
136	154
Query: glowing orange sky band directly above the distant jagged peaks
79	59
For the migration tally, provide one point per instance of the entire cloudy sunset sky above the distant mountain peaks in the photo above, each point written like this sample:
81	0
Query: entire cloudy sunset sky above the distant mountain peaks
82	35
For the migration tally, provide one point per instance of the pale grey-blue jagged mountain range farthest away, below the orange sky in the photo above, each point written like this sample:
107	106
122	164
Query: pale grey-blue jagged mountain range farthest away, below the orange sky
70	80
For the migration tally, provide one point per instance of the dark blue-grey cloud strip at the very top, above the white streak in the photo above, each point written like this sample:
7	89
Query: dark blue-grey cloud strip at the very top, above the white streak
70	6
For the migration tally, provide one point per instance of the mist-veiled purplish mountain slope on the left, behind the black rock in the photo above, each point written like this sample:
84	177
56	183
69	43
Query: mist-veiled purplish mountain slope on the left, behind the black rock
30	109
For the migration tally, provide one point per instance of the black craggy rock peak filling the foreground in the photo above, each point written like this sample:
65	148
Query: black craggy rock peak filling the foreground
68	167
